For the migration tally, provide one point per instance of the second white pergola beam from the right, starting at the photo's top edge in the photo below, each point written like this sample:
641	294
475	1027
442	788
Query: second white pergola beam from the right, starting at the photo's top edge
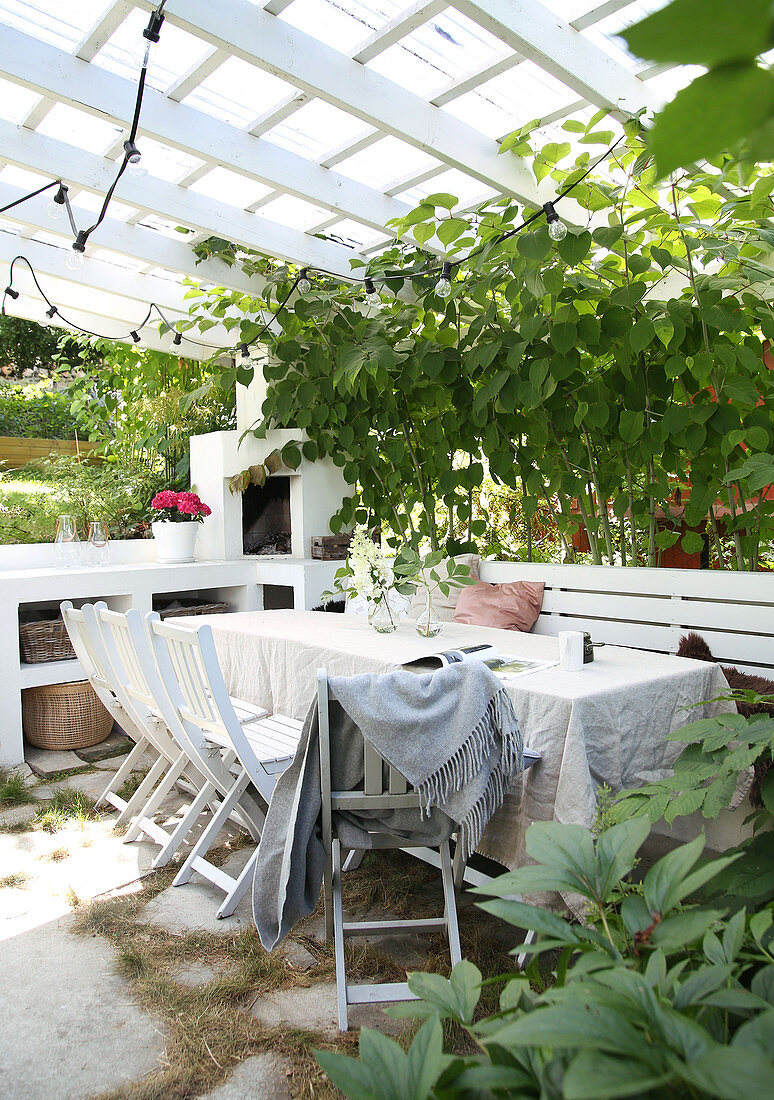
279	48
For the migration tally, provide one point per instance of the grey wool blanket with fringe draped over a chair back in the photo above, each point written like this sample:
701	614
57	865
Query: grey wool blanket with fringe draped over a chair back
452	734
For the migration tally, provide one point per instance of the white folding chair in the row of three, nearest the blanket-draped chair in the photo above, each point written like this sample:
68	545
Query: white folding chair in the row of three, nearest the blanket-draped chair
200	702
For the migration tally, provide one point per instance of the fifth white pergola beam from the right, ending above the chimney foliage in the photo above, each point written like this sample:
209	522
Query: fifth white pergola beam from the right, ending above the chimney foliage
147	246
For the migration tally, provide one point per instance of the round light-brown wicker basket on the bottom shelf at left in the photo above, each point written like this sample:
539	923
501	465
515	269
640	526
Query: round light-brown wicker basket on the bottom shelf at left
64	717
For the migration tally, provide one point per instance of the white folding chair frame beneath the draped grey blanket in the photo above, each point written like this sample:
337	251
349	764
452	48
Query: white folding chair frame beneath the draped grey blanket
374	796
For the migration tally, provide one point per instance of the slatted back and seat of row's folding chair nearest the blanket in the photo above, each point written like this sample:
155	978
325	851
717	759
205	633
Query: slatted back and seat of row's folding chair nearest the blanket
189	664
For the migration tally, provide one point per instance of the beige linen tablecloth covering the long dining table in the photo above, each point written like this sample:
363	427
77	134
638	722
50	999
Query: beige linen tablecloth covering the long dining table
607	723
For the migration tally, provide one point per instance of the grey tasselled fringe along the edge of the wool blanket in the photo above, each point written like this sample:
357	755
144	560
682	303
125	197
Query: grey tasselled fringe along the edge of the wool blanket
499	724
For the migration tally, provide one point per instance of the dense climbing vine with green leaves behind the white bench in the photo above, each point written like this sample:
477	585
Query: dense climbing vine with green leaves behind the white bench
616	379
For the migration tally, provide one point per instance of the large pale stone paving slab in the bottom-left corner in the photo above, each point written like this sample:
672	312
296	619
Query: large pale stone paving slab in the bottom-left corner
70	1028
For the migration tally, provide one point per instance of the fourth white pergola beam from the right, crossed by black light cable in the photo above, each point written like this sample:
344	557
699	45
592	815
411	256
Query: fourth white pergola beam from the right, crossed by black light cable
74	167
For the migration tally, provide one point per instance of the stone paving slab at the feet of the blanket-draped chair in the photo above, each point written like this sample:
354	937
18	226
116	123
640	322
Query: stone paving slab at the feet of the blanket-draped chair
316	1008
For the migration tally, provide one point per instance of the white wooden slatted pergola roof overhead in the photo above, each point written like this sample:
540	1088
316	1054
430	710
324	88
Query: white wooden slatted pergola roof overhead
297	128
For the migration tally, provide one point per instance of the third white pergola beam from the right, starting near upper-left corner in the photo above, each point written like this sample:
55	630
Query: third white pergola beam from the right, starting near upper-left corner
47	70
